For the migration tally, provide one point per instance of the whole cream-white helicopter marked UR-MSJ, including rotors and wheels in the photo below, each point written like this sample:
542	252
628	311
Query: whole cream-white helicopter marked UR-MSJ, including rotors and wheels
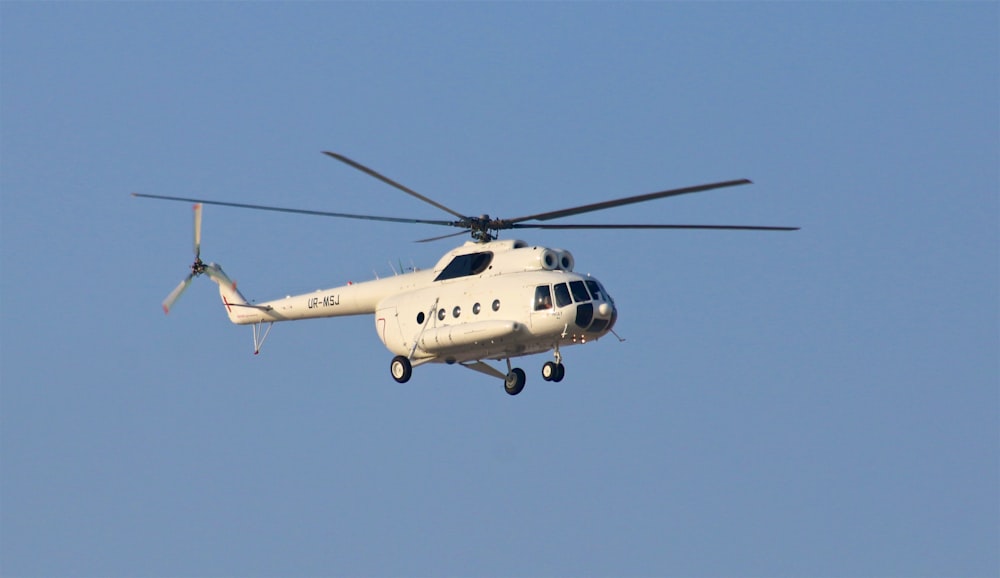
488	299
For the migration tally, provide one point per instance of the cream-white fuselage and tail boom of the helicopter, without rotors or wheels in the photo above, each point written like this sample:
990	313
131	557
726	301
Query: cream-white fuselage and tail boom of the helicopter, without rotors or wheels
474	315
